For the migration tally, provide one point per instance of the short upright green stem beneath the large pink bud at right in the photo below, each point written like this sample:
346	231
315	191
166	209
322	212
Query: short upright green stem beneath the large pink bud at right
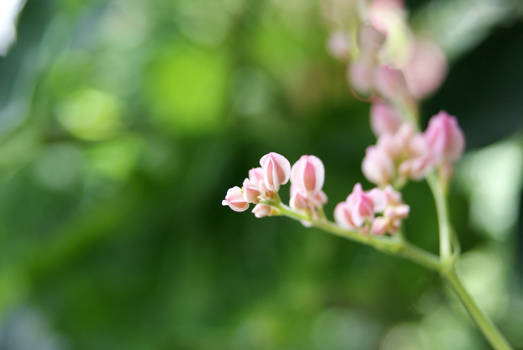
440	195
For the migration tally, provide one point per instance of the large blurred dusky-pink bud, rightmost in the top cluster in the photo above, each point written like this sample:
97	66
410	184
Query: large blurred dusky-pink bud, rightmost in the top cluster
425	69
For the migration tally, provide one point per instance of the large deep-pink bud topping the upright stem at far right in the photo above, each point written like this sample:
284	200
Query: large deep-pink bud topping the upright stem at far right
444	138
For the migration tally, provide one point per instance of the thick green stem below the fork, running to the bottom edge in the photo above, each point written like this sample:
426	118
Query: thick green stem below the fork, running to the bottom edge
486	326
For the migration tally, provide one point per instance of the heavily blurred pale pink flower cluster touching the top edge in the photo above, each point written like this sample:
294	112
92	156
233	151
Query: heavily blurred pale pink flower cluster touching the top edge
386	52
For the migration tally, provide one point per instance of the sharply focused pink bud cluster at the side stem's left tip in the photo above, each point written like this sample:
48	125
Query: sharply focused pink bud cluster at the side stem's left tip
306	175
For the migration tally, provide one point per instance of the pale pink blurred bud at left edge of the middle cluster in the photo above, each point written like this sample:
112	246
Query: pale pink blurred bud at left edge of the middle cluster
378	166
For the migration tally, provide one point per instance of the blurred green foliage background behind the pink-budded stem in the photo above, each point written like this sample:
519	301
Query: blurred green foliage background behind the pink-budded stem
123	123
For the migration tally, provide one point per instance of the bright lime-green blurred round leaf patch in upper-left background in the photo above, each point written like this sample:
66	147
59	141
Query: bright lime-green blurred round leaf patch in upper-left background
186	88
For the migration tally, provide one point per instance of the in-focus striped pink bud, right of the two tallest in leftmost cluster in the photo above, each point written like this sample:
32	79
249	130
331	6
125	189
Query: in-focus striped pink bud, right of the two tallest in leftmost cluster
307	174
